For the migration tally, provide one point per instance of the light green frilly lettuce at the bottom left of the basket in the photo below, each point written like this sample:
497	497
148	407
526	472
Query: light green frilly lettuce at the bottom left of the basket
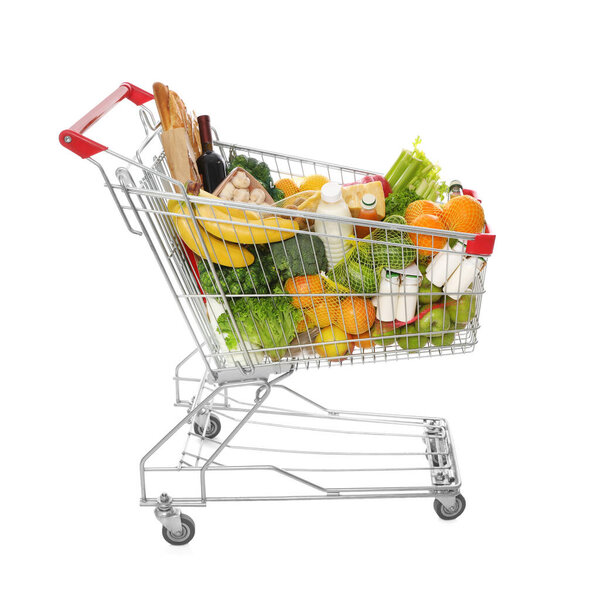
265	322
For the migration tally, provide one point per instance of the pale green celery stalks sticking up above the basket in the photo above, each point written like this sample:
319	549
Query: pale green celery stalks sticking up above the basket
414	171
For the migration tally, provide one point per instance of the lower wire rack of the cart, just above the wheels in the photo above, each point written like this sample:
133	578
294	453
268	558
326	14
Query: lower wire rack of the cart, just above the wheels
293	448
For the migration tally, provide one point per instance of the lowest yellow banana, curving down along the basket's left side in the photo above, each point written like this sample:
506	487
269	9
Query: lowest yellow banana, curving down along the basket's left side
219	251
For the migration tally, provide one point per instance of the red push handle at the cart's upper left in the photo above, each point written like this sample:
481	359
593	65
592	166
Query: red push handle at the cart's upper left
73	138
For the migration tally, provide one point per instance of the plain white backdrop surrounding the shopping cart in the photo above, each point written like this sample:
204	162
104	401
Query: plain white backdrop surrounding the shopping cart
505	97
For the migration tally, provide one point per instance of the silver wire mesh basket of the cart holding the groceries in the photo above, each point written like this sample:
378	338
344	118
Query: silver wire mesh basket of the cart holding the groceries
232	266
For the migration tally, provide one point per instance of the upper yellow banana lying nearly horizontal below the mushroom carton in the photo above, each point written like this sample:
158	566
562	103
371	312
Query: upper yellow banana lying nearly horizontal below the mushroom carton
239	230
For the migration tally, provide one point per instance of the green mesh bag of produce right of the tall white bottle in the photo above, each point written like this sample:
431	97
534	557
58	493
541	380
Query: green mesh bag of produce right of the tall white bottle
360	270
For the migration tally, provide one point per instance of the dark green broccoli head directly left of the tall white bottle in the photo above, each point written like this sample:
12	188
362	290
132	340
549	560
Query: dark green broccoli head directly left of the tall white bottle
301	255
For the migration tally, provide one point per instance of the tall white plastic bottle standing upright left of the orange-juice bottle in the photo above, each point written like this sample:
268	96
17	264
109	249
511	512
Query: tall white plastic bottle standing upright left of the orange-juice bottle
330	231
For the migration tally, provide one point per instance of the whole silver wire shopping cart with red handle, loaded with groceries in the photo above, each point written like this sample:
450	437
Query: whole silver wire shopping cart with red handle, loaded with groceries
244	428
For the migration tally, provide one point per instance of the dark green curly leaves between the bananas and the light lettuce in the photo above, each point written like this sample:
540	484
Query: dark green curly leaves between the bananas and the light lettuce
258	278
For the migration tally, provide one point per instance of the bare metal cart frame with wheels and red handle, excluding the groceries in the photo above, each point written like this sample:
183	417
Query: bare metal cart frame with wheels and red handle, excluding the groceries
212	396
